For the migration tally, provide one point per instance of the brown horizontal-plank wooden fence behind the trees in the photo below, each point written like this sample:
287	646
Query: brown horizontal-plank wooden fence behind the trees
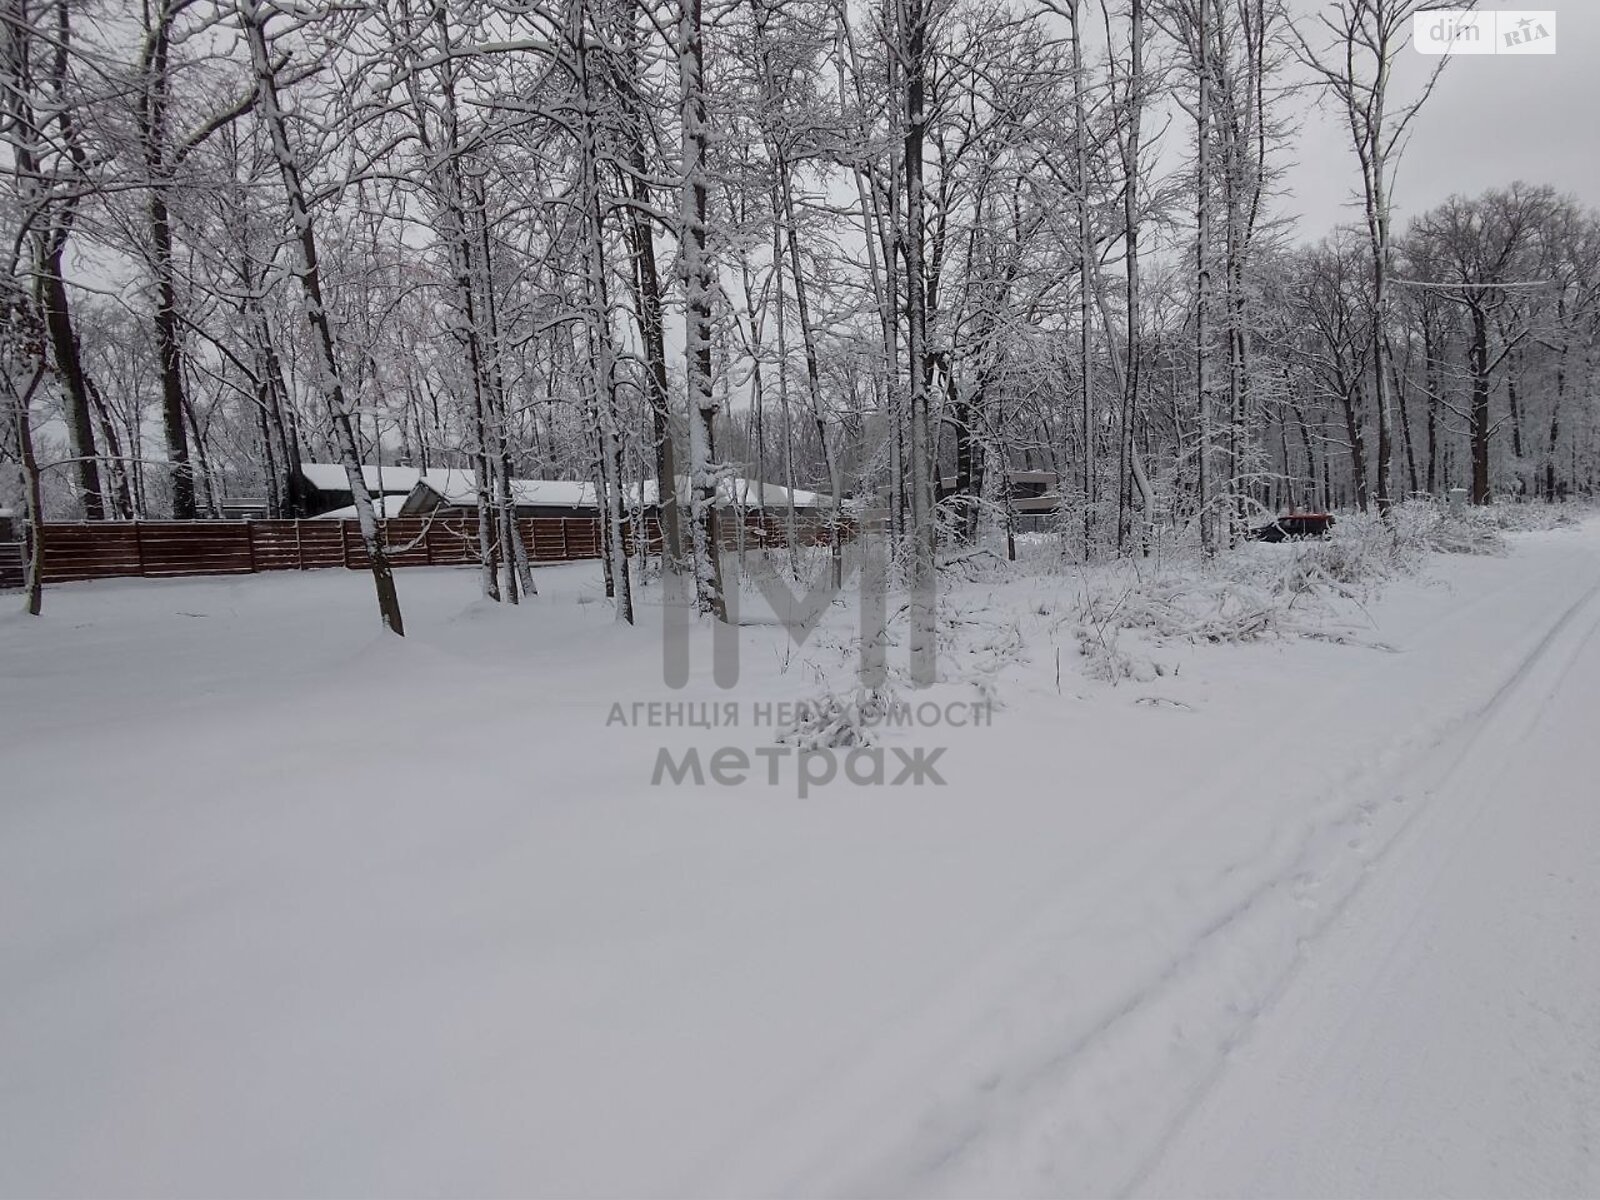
166	550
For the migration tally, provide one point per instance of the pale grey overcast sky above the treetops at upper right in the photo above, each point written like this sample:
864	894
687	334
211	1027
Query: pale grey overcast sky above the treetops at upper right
1494	119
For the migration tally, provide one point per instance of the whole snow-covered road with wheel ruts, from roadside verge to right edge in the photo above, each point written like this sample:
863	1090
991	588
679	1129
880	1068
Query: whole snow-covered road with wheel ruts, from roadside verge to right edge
1279	1002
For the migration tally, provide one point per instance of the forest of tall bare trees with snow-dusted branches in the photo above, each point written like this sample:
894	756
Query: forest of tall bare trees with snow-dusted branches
889	250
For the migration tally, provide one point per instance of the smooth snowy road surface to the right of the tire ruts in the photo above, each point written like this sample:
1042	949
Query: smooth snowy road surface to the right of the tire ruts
1444	1036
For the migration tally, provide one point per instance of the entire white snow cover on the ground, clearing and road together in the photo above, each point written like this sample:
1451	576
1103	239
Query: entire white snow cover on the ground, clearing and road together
290	908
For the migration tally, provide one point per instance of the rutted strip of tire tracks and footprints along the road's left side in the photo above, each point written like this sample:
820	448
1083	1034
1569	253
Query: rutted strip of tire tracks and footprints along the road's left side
1089	1110
